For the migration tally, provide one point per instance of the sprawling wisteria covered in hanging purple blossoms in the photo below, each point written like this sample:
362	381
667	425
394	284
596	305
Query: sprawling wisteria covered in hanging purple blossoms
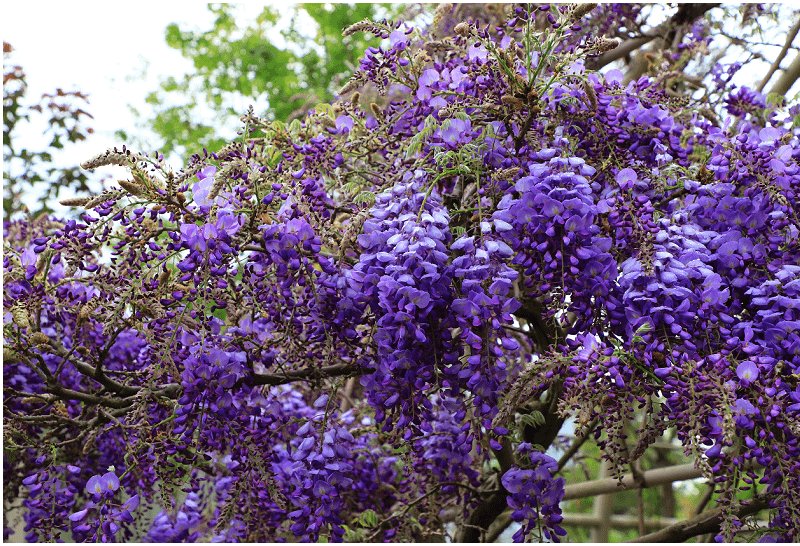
373	323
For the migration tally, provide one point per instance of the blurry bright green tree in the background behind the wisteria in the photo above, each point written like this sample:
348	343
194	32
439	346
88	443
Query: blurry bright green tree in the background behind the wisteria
236	64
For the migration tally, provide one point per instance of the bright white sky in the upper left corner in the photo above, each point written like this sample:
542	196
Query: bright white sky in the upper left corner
98	48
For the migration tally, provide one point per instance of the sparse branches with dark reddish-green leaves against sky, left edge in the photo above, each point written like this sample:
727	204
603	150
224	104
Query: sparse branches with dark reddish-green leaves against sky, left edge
32	172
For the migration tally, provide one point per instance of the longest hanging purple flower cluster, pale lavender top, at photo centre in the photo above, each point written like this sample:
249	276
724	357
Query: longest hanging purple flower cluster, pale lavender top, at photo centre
403	278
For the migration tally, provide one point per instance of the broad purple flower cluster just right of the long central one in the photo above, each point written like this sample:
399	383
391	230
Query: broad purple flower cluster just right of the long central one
551	227
